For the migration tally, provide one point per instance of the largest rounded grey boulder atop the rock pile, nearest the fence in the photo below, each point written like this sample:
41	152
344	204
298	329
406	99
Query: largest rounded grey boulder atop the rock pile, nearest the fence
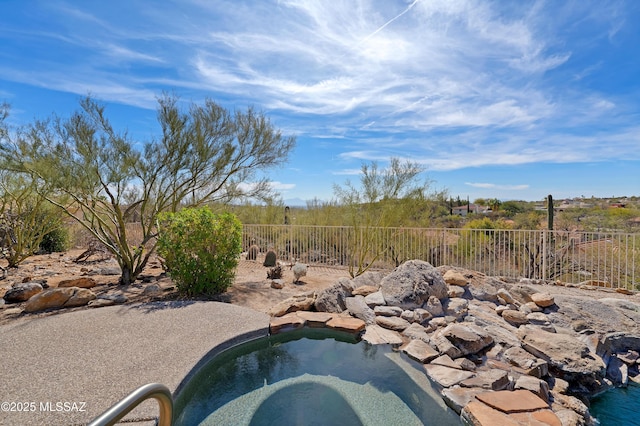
411	284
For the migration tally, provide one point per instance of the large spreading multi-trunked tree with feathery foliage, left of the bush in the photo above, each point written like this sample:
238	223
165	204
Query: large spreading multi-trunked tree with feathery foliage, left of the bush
203	154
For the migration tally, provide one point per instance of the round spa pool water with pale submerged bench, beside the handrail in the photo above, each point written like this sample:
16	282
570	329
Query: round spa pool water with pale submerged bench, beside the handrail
310	377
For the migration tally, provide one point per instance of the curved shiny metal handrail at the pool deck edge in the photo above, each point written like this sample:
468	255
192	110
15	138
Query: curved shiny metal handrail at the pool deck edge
159	392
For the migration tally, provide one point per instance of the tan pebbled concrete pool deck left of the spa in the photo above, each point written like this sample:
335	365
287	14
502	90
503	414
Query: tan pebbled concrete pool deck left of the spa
95	357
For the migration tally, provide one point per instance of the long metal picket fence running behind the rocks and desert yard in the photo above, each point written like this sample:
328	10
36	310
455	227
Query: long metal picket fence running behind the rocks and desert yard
603	259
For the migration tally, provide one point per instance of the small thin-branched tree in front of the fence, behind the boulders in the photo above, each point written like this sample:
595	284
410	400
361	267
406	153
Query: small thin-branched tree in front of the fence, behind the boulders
383	195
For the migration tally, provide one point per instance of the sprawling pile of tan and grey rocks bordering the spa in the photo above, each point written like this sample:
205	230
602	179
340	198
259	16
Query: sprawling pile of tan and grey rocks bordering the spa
500	353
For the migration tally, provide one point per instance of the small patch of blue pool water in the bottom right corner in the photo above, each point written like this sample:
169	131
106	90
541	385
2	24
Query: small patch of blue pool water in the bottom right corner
618	407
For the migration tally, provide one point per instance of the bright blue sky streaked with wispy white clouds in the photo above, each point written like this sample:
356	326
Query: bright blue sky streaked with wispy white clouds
507	99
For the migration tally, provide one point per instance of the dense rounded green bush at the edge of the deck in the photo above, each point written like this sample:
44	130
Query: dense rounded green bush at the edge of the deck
200	249
